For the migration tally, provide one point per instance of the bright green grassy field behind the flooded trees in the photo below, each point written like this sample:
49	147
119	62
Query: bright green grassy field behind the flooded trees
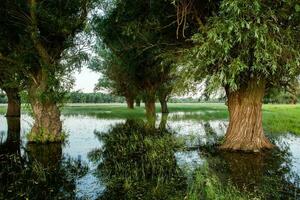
277	118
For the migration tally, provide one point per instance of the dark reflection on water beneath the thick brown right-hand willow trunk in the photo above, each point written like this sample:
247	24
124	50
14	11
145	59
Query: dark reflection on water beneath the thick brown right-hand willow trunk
266	173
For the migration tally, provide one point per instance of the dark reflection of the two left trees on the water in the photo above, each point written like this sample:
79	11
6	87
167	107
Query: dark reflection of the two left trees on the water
35	171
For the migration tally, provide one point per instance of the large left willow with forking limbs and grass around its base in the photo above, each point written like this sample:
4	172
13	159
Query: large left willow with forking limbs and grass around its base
45	31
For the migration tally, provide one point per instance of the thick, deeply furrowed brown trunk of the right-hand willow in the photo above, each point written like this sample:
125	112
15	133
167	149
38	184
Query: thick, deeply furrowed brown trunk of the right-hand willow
245	131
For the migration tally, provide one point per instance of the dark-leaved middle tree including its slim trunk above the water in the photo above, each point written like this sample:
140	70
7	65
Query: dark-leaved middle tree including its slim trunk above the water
138	34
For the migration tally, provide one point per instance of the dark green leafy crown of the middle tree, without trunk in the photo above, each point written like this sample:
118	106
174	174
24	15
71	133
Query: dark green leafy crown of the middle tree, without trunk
135	38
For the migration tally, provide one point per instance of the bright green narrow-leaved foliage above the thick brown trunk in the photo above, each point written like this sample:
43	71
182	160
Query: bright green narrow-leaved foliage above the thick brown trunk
248	39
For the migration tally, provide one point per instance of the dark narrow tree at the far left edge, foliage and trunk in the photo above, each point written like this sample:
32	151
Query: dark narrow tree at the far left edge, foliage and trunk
11	73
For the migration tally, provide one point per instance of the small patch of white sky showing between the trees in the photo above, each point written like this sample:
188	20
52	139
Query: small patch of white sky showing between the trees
85	80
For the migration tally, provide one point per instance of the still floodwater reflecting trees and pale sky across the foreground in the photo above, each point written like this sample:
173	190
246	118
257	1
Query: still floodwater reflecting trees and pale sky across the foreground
126	159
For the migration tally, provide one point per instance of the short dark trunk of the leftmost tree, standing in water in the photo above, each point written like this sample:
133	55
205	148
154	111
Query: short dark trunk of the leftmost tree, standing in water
14	102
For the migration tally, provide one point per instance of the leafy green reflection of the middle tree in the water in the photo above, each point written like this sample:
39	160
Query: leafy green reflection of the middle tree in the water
137	162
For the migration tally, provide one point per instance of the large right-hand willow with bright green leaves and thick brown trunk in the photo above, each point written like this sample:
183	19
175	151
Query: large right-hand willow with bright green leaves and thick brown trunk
247	47
